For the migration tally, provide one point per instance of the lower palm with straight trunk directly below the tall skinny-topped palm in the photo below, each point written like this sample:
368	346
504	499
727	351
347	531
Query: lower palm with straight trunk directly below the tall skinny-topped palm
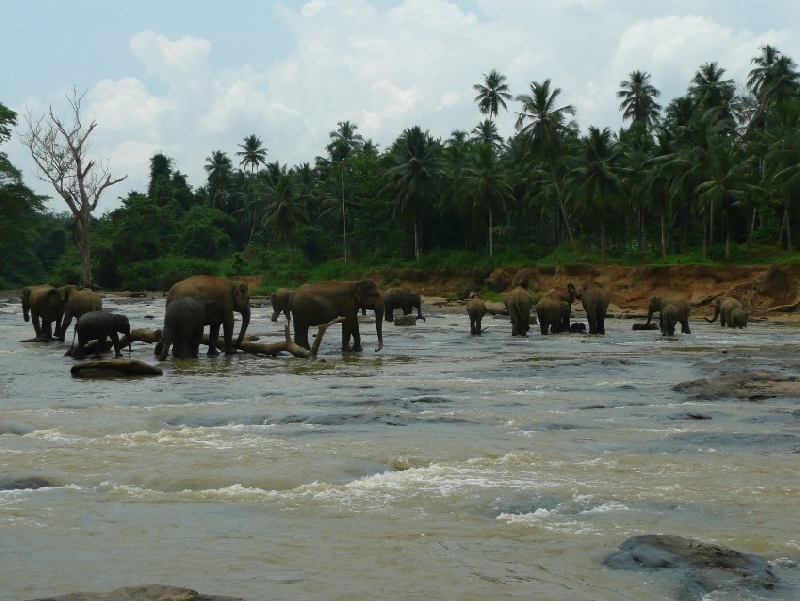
484	187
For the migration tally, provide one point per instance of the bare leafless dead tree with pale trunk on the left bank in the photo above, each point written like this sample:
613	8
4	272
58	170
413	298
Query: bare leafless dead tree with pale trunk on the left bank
60	151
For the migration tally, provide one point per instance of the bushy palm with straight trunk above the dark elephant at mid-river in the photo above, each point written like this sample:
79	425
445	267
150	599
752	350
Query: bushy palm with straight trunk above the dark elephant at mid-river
416	175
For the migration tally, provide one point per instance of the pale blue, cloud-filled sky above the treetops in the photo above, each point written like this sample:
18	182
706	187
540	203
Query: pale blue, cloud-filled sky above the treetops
186	78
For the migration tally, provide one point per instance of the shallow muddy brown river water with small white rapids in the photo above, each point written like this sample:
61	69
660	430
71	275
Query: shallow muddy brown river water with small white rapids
444	467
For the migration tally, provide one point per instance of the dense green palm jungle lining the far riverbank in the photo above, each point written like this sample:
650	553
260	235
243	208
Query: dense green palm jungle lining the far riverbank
713	176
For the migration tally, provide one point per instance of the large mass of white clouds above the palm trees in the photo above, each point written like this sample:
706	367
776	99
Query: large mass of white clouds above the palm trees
388	66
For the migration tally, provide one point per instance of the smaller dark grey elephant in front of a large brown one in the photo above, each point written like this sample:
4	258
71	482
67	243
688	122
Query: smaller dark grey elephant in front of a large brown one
185	318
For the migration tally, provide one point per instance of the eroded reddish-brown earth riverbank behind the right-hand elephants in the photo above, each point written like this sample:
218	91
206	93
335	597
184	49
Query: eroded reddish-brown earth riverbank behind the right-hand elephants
767	291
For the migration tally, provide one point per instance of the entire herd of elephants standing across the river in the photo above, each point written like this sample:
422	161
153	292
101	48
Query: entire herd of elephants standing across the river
203	300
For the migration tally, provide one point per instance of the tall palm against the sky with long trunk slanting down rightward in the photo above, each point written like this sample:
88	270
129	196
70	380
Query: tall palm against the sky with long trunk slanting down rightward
548	129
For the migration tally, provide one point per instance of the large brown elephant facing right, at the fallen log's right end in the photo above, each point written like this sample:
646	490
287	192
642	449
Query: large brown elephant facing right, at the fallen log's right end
321	302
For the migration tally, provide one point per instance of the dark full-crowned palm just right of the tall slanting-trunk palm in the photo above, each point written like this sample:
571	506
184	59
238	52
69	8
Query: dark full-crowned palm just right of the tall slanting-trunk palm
594	179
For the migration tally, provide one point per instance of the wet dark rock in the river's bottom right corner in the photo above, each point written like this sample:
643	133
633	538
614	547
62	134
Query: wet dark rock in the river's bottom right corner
699	567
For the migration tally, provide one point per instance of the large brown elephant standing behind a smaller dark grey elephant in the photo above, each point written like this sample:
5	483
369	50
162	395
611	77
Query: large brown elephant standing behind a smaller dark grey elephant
230	296
